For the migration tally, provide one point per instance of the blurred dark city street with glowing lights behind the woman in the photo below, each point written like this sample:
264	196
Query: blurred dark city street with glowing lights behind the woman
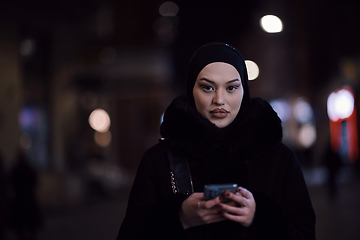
84	86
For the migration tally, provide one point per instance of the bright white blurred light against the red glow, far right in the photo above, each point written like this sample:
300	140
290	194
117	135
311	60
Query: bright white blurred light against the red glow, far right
340	105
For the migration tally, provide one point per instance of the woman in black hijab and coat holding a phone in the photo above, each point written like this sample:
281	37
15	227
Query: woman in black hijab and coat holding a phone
226	137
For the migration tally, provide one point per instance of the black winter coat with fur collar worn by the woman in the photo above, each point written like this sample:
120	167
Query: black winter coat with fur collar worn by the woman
251	154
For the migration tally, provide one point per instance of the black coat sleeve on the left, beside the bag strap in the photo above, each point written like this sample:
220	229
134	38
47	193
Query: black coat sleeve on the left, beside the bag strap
153	210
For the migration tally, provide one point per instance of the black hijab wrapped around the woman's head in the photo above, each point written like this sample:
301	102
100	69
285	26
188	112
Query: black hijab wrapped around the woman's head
219	52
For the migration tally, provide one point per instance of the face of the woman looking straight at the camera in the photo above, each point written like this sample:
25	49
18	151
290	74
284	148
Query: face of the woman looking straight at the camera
218	93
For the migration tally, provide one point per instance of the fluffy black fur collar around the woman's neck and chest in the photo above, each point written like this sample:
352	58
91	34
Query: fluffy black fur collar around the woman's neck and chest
185	129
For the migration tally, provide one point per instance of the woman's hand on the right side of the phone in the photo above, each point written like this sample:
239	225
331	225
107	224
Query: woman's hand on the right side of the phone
243	211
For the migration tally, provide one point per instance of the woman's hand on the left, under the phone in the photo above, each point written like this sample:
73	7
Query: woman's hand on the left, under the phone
195	211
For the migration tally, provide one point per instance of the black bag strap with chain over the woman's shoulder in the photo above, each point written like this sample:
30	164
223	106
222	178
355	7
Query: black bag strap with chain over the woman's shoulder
179	169
